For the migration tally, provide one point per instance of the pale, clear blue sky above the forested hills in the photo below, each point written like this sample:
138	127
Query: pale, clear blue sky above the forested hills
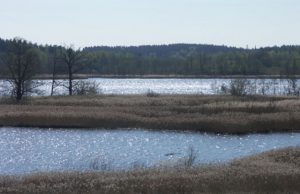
240	23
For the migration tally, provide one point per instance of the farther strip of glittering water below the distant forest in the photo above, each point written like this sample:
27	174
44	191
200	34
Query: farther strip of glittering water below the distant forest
169	86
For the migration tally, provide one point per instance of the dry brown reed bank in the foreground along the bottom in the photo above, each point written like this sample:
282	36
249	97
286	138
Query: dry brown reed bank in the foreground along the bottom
270	172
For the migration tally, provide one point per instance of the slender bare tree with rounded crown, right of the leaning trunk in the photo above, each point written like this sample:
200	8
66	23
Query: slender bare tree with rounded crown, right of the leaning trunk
72	58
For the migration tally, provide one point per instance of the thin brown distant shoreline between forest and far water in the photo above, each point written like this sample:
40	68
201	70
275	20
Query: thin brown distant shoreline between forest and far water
150	76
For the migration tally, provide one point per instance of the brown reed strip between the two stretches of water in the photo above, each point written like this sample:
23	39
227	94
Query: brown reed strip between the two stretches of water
218	114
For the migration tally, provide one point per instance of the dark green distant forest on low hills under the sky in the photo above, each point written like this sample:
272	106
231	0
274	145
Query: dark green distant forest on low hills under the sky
174	59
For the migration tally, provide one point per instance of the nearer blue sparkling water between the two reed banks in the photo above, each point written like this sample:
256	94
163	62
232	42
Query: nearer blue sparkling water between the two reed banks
27	150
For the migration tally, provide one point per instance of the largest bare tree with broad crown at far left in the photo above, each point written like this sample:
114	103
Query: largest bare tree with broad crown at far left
21	61
